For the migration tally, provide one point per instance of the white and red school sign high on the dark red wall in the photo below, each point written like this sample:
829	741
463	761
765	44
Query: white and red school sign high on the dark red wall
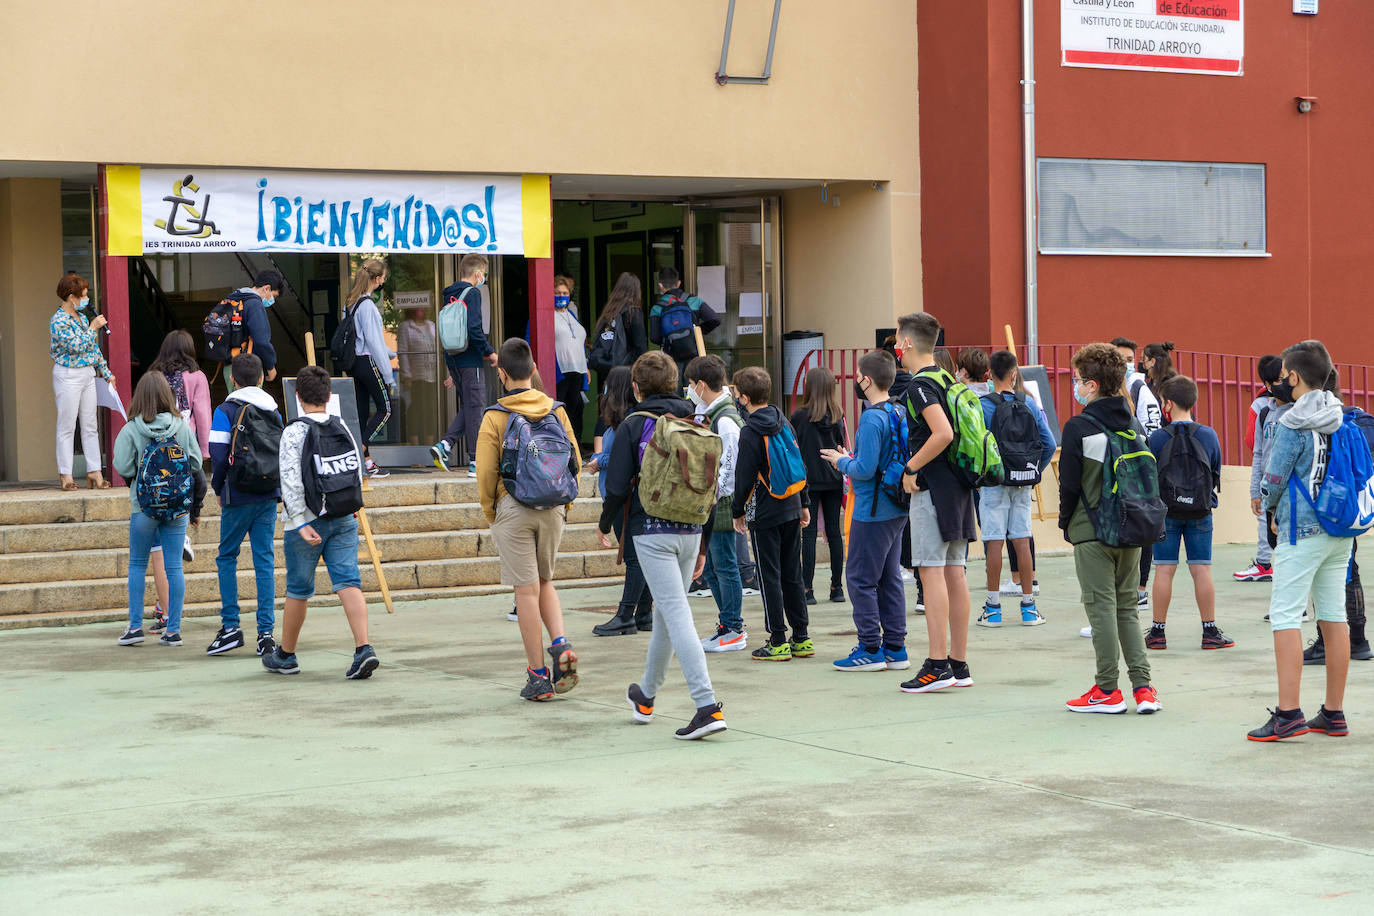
1174	36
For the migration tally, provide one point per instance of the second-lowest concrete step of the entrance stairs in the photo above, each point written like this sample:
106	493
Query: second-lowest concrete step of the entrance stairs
115	562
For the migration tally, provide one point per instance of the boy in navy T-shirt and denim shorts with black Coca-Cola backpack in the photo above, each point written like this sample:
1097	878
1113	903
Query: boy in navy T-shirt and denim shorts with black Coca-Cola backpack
1189	458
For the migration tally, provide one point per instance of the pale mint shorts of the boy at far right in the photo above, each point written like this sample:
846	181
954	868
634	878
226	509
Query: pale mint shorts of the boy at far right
1317	566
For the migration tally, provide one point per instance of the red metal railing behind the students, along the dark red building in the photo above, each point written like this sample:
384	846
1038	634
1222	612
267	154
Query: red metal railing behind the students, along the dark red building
1228	384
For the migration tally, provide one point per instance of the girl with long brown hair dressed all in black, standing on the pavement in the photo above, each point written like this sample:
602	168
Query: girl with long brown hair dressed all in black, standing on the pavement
821	426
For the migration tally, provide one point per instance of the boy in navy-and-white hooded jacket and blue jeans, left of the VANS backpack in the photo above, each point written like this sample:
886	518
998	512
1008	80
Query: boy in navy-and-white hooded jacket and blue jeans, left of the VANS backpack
244	514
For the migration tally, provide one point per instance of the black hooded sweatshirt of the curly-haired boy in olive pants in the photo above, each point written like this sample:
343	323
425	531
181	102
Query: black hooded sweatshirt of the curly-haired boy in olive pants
1081	463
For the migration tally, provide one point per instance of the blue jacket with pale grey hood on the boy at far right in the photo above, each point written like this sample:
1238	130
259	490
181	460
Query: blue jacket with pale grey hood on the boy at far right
1302	447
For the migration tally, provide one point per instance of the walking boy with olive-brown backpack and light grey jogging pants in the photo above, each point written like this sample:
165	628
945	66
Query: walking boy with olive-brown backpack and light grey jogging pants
670	549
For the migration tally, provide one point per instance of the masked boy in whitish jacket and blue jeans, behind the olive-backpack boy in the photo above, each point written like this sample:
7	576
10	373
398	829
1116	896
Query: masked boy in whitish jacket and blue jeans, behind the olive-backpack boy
715	409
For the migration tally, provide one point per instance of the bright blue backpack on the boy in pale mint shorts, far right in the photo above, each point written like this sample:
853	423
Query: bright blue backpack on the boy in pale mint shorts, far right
1344	501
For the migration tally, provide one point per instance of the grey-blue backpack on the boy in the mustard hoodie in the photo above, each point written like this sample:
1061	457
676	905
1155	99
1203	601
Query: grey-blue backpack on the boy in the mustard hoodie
539	462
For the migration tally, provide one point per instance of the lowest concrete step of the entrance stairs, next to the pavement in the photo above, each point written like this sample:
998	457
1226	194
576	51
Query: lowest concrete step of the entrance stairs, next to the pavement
203	587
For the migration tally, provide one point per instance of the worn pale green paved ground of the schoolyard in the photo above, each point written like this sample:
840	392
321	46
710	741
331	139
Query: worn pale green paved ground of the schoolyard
163	781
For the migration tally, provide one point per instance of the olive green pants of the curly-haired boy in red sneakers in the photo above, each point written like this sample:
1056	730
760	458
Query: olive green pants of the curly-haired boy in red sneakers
1108	577
